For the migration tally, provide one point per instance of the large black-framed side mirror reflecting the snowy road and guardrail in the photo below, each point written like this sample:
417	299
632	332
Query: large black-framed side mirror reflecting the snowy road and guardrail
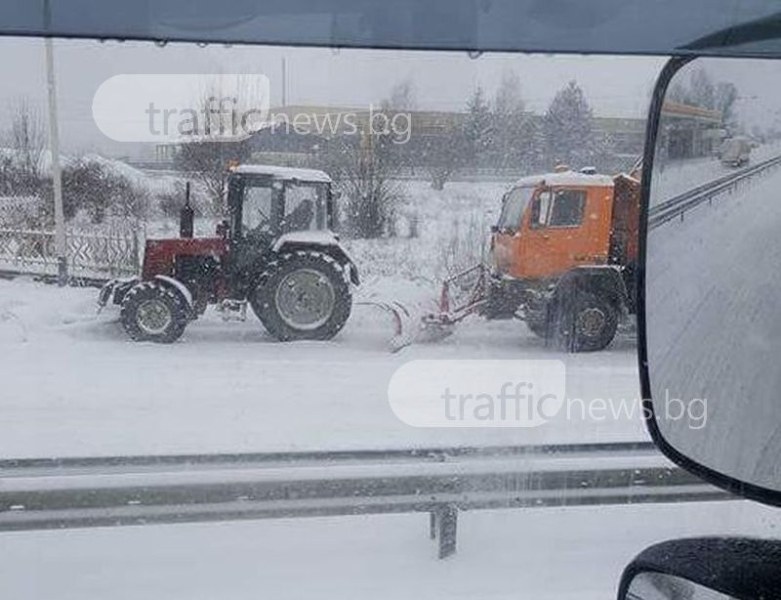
709	295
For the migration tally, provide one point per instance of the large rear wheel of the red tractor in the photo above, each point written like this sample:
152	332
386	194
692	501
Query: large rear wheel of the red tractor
302	296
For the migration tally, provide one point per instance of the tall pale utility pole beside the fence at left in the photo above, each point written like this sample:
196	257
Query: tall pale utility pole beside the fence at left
60	244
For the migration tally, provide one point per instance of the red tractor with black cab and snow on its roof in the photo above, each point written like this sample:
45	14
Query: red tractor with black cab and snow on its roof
276	252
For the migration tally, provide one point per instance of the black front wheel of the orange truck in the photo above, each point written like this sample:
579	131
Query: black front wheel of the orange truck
586	323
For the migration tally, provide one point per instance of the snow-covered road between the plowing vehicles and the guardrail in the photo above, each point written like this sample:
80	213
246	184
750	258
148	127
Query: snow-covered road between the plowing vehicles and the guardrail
74	385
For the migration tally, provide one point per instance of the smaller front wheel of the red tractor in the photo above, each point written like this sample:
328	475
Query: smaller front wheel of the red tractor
152	312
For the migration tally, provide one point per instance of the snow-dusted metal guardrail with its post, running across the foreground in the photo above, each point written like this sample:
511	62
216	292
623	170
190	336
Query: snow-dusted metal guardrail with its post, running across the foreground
90	492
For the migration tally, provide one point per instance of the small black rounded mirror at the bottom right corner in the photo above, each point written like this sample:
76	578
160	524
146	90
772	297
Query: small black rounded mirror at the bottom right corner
705	569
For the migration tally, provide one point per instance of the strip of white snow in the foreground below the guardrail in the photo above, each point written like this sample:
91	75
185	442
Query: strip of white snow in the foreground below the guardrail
574	553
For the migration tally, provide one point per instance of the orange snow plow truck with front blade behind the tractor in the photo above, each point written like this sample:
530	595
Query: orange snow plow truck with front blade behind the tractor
562	259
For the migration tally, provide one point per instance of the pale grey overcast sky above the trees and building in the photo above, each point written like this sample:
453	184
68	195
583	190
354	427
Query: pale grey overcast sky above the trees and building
615	86
